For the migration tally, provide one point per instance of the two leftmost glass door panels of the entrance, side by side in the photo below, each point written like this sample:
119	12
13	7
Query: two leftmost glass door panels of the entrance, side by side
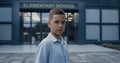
31	28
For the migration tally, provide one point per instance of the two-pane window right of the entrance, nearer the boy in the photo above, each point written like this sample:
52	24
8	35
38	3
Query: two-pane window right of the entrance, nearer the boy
93	28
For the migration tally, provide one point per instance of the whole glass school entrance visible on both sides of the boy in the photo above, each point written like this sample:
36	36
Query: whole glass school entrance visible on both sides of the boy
34	27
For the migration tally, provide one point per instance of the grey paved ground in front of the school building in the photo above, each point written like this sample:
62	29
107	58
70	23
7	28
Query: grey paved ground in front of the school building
78	54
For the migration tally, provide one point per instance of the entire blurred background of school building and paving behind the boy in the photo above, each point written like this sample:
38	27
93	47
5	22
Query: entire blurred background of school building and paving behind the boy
23	24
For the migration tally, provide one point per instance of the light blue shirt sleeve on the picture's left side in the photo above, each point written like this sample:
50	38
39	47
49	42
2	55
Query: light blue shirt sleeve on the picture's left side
42	54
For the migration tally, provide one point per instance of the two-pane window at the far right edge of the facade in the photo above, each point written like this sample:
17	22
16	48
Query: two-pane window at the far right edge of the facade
110	32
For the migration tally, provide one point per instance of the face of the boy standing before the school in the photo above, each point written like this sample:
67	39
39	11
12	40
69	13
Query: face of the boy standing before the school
57	24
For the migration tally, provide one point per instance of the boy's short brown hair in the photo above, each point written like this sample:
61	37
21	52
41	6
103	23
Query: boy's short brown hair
55	11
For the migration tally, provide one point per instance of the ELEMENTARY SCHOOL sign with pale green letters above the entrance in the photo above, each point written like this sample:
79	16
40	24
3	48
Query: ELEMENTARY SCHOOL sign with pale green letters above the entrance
36	5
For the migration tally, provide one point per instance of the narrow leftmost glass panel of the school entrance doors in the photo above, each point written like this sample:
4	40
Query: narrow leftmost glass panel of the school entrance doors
26	27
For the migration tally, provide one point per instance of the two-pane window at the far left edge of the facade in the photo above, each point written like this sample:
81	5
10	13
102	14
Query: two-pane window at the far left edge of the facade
5	23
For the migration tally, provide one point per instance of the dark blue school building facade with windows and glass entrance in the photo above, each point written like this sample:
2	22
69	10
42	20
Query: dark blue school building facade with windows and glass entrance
87	21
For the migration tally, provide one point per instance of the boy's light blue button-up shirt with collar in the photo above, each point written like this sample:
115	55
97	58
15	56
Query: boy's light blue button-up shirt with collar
50	50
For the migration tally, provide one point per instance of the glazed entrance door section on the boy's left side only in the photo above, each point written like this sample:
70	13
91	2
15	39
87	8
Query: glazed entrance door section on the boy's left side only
34	27
